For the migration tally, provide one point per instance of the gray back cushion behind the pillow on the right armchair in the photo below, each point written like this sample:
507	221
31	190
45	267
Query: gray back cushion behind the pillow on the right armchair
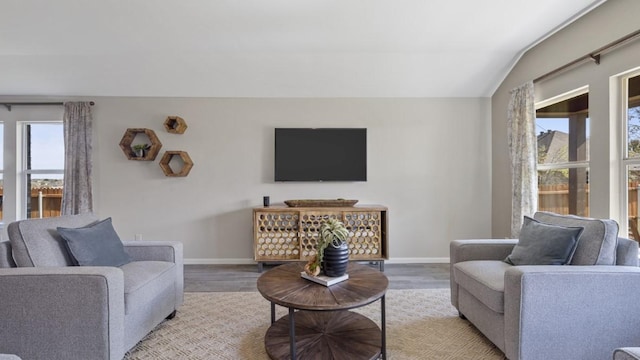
598	242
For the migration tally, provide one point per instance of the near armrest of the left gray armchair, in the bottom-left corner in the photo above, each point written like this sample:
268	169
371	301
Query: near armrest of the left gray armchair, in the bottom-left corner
62	312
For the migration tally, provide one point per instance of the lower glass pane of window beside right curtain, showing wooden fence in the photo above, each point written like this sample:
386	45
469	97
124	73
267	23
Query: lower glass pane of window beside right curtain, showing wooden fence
556	193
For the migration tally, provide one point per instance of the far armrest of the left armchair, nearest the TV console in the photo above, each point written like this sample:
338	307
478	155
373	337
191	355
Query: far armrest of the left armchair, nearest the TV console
170	251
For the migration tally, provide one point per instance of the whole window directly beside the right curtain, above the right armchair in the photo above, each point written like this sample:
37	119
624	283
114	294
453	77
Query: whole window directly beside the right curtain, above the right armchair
563	154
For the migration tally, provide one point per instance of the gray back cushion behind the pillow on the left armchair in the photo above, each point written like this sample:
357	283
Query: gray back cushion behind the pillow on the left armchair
35	242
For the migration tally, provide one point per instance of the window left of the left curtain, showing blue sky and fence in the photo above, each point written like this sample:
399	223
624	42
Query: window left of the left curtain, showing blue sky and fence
42	169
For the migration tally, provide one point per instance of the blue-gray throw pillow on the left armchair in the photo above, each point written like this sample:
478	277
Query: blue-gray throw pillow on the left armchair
96	244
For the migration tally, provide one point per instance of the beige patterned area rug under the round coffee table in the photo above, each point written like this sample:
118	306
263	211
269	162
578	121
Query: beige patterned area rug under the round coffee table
421	324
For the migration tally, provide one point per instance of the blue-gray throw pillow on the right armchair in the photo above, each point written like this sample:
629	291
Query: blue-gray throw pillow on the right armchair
544	244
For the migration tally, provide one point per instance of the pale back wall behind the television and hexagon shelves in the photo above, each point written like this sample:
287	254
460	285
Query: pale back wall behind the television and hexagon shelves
428	161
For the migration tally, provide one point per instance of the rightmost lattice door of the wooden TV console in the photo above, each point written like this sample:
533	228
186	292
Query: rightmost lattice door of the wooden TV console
365	234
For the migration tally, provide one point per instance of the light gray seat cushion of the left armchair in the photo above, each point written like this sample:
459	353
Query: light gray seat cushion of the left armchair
145	281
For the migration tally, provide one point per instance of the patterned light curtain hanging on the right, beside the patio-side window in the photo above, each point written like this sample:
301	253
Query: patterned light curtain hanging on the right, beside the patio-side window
523	154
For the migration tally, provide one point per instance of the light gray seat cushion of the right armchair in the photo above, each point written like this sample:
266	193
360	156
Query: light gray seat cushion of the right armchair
484	279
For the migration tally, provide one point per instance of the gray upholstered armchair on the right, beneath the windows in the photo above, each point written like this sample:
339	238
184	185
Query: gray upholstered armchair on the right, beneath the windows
584	310
